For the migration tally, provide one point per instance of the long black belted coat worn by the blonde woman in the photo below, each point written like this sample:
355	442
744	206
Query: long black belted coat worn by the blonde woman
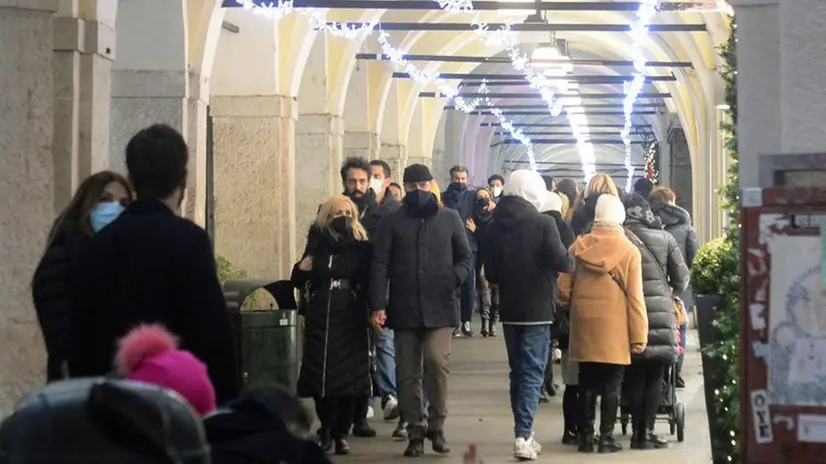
336	352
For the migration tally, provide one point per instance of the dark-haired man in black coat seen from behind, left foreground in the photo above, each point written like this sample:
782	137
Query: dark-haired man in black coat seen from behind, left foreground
150	265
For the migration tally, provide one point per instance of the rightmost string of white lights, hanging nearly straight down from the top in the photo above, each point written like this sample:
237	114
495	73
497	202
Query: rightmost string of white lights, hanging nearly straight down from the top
639	33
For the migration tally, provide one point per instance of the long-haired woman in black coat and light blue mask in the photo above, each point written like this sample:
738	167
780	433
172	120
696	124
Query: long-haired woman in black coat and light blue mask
97	202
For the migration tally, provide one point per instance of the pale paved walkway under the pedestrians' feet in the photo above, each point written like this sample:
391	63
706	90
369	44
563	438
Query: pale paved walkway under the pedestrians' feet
480	413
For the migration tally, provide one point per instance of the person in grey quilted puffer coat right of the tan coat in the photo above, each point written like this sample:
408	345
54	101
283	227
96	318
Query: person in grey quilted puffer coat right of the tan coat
664	274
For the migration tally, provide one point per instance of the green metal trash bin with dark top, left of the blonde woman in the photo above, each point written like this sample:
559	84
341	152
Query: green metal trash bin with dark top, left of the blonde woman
269	339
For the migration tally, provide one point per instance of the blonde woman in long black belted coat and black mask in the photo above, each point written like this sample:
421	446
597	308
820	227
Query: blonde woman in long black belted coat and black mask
335	367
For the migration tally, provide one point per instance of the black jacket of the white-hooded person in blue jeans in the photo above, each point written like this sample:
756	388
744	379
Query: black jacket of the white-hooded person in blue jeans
523	256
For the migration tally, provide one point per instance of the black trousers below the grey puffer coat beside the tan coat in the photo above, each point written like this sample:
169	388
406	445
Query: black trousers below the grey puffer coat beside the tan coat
644	382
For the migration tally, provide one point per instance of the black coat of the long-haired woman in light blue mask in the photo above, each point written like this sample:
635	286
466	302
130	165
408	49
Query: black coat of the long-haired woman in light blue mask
54	290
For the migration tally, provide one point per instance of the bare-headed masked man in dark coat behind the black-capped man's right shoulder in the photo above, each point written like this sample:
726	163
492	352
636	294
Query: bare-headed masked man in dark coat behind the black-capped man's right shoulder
460	198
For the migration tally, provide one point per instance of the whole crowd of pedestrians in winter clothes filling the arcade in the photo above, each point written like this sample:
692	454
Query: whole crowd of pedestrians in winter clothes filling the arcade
391	273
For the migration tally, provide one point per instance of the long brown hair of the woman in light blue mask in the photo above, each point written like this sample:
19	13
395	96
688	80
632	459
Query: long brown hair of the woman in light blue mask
88	195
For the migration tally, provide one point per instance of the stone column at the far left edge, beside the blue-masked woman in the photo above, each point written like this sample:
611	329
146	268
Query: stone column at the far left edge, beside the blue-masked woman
26	182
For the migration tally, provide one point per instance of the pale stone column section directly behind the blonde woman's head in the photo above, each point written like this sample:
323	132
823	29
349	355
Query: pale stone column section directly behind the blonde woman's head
319	142
